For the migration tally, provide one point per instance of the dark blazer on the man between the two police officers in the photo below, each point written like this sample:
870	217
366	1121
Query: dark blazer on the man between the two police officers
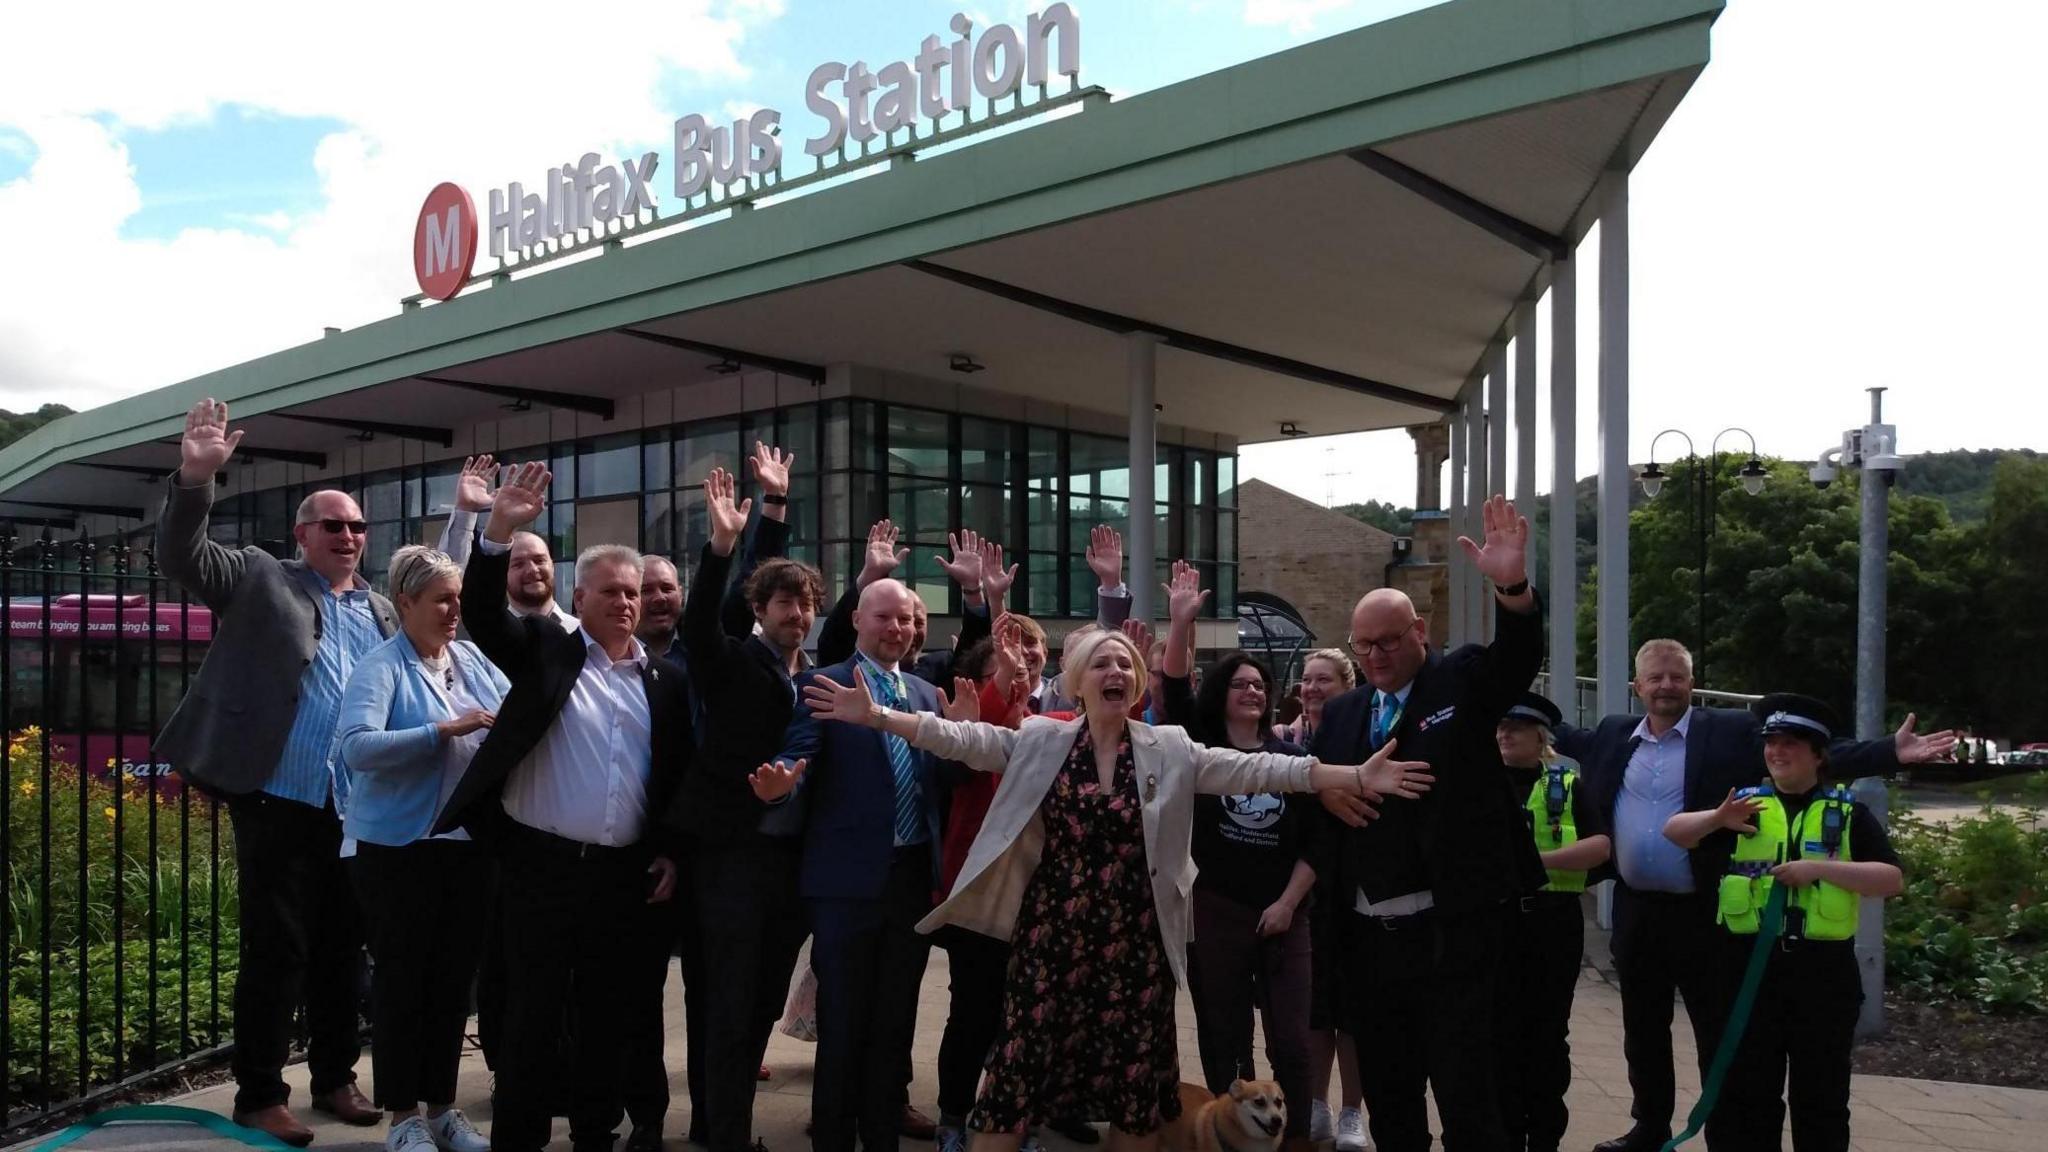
1723	751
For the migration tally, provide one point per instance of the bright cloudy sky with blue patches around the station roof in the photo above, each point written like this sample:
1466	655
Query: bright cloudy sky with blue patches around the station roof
1844	200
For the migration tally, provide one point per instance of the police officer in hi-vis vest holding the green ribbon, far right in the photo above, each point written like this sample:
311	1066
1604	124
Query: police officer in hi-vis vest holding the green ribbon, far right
1830	854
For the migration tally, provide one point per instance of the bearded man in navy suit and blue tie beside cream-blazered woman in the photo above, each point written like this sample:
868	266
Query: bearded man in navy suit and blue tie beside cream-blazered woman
869	868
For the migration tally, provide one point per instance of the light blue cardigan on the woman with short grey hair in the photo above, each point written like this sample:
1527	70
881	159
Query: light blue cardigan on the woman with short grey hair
388	755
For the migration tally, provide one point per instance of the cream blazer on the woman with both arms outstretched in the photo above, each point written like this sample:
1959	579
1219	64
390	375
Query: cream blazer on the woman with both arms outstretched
1170	770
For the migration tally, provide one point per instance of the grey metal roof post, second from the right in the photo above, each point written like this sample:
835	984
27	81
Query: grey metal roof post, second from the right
1564	589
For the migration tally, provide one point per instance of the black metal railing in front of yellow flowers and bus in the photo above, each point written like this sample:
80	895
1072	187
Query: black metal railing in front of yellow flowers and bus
120	882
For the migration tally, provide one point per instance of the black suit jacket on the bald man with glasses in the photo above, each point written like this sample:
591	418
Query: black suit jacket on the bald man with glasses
1465	839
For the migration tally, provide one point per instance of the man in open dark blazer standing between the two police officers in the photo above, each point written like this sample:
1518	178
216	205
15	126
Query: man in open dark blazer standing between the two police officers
1641	772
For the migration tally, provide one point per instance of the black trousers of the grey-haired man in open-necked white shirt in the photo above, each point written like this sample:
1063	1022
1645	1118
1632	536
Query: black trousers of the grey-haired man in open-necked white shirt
577	925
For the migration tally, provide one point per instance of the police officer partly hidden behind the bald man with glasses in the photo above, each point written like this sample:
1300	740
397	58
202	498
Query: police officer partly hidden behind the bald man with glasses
1547	936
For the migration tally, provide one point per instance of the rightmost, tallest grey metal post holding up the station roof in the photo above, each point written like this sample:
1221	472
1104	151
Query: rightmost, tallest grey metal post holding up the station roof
1615	479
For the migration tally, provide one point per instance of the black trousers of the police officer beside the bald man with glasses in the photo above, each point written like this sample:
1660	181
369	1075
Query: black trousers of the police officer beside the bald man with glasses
1531	1032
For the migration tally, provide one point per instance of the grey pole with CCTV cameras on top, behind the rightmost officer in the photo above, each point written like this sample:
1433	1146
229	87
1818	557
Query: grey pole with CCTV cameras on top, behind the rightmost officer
1877	450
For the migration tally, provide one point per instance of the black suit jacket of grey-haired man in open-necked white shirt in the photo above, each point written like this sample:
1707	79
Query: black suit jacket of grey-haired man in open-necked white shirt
544	663
